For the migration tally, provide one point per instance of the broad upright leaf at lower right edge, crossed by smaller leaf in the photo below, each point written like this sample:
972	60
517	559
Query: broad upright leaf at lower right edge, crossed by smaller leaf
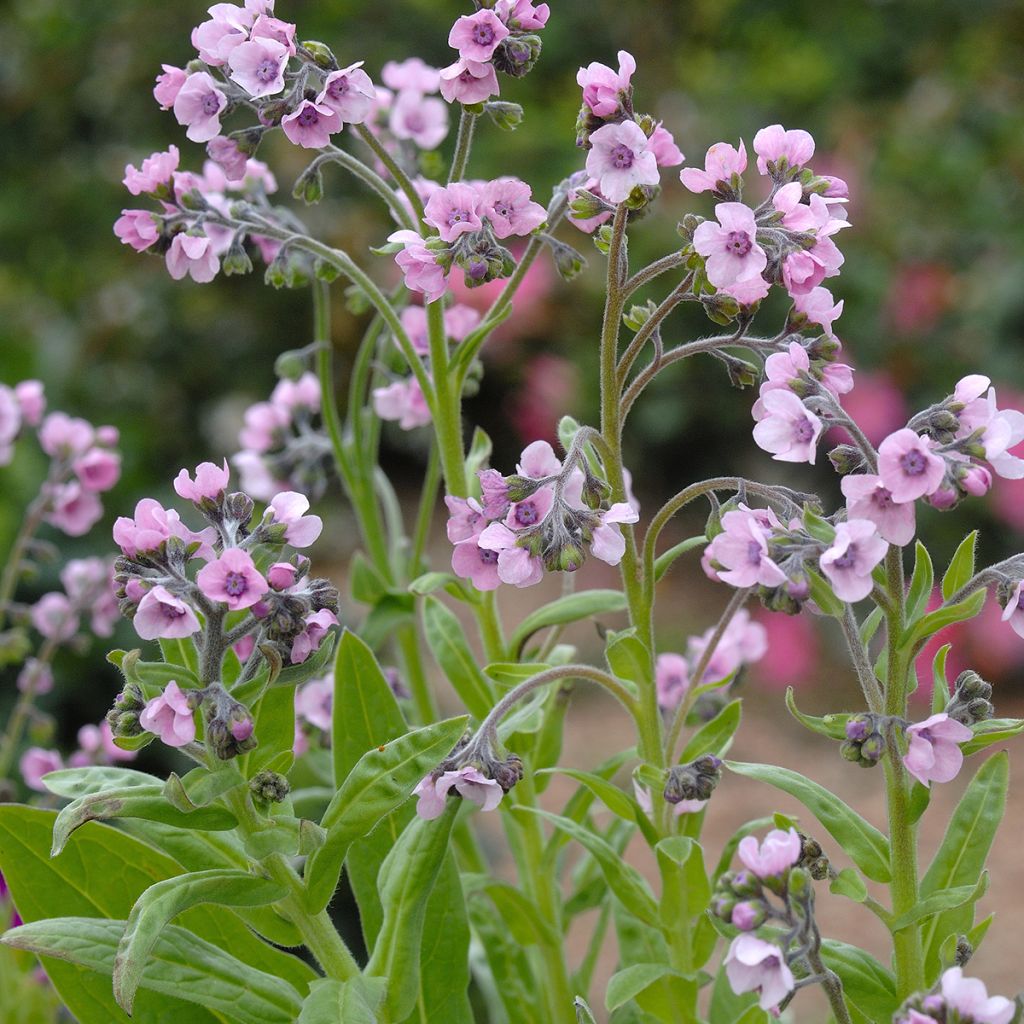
961	858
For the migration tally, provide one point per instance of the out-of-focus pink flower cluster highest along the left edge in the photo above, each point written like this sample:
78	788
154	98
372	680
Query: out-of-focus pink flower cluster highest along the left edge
84	462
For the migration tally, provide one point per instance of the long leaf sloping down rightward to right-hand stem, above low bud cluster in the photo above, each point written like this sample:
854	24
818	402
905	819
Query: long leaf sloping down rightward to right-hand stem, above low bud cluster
863	842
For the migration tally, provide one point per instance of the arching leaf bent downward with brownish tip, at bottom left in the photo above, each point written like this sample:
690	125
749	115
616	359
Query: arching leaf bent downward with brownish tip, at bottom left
161	904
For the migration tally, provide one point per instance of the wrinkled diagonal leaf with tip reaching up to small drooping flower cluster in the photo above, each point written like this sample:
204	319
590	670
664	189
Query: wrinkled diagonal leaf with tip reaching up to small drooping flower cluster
379	783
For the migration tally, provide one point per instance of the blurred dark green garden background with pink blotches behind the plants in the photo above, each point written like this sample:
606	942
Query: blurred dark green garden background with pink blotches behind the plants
917	104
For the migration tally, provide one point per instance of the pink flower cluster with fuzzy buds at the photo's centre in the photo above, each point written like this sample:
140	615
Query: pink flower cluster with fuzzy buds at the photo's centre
539	520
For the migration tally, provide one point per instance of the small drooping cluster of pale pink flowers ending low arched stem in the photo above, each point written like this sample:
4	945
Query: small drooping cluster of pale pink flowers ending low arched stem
473	772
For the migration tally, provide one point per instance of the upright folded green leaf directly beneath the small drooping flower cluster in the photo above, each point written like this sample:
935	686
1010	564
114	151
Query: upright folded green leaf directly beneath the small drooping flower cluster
407	879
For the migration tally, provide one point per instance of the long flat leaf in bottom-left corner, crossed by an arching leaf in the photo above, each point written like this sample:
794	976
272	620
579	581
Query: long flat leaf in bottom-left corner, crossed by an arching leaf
184	966
